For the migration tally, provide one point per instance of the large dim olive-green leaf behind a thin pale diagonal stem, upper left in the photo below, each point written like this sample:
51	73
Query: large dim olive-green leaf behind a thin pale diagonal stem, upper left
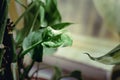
33	19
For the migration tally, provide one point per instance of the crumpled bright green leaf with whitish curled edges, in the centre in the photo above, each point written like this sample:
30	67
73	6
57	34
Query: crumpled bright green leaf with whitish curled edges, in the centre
55	38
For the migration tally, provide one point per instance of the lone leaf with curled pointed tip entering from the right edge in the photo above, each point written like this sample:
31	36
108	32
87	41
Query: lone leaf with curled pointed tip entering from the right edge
111	58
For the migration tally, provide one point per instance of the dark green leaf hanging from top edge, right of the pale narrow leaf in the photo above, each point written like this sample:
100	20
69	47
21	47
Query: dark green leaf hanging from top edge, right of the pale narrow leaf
52	15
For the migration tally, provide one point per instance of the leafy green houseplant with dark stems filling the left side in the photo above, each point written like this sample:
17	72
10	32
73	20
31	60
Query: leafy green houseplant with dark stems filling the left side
42	30
